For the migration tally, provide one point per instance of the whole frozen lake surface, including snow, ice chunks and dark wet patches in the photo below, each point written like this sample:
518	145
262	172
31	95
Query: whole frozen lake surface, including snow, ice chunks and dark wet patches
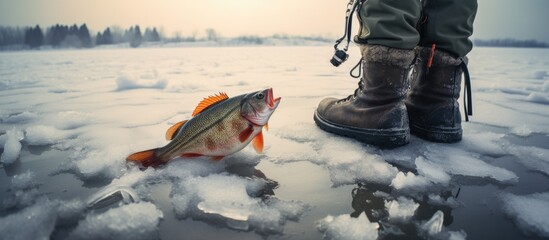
69	118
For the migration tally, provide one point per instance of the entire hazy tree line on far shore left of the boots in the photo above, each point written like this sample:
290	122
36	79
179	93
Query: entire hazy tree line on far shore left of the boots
63	36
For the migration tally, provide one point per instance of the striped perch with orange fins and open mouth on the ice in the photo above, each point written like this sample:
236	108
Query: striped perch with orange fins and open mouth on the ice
219	126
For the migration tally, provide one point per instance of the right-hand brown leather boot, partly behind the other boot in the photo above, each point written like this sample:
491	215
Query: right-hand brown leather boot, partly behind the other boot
432	104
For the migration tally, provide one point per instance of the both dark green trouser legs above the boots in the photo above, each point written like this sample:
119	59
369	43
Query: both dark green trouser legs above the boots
395	23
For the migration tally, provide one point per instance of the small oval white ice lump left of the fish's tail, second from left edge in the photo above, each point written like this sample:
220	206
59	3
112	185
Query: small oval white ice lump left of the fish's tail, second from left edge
44	135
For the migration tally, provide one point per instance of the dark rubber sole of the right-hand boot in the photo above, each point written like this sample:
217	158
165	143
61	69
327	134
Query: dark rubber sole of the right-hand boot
438	135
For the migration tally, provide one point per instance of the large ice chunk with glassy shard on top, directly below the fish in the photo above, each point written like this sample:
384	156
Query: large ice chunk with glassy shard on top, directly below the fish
230	199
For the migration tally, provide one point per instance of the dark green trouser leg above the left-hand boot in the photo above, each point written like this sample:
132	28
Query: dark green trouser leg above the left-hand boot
391	23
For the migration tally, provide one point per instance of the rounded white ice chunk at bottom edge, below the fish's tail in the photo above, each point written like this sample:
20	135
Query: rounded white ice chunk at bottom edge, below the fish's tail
133	221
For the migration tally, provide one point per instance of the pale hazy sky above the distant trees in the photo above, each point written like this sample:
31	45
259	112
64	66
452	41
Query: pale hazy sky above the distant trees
520	19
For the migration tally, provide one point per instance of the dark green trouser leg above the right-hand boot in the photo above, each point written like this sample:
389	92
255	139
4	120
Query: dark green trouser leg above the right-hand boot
449	24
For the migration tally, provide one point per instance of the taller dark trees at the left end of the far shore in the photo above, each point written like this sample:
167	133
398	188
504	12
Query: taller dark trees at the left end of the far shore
74	36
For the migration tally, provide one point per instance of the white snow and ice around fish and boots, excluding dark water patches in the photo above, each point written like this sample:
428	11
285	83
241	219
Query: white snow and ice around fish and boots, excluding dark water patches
112	102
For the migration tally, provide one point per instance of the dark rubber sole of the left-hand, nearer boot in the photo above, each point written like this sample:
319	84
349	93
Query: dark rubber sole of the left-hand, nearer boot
385	138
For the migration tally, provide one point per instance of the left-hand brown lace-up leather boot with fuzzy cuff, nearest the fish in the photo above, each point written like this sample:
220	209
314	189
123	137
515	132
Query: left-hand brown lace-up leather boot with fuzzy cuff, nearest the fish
376	112
